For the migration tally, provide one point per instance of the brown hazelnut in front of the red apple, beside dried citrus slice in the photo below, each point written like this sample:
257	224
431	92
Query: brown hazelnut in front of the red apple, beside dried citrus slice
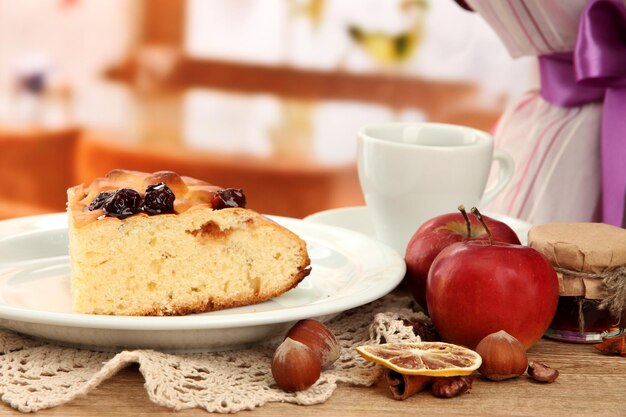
503	356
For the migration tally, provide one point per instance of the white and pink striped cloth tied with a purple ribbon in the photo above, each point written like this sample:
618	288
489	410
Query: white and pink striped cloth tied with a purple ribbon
556	150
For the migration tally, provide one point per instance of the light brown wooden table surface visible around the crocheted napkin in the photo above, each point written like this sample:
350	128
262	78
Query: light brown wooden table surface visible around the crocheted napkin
590	384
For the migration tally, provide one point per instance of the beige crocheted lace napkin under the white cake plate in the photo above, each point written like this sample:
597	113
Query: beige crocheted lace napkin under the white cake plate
35	375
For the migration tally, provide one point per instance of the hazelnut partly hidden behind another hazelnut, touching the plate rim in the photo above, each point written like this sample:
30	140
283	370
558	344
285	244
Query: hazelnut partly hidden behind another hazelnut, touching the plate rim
318	338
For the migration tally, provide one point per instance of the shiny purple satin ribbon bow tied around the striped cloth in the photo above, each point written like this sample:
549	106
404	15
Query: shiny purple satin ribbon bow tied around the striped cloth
596	71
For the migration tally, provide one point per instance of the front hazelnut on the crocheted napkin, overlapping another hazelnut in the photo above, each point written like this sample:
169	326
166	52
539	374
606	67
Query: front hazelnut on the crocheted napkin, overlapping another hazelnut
295	366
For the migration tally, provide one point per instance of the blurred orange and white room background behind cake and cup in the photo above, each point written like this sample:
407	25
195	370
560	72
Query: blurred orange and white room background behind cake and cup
264	95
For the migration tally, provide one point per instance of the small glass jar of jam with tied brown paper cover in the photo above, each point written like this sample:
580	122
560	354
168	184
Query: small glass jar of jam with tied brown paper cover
583	254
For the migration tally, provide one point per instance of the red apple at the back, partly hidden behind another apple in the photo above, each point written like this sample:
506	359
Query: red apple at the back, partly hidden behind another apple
438	233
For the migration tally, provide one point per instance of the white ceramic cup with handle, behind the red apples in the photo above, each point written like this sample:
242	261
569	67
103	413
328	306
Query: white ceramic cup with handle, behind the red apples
411	172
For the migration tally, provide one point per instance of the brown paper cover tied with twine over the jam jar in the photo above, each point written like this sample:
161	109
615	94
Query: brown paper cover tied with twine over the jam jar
583	253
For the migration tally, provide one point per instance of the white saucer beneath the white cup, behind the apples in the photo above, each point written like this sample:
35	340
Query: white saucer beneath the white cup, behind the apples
357	219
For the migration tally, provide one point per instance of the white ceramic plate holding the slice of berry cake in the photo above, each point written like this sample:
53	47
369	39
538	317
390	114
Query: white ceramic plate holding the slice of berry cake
349	269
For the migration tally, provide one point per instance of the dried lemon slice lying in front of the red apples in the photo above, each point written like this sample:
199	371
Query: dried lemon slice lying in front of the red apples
423	358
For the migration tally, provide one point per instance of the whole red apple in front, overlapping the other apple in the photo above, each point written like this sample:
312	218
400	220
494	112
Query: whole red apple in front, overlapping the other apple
476	288
